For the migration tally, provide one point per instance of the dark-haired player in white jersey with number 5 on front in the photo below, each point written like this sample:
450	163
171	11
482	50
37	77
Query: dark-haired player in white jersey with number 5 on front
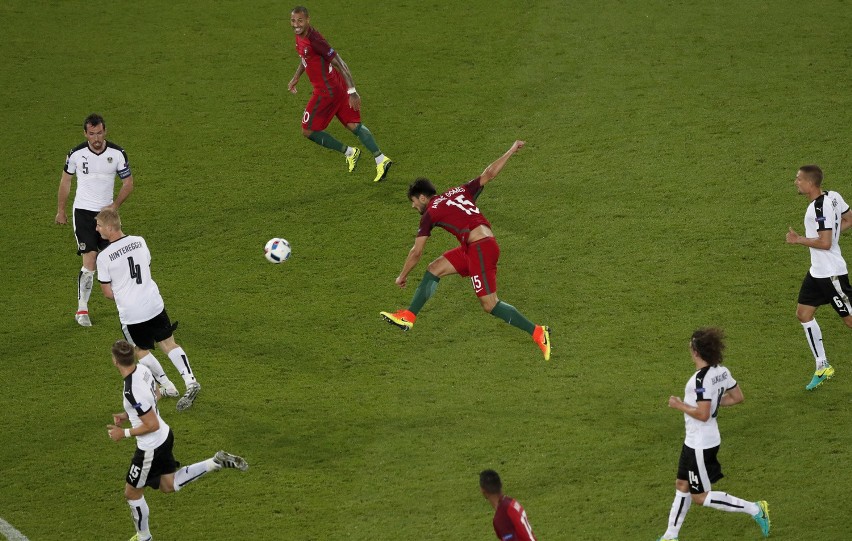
96	164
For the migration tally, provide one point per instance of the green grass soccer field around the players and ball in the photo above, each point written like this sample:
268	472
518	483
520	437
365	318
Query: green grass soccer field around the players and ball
652	198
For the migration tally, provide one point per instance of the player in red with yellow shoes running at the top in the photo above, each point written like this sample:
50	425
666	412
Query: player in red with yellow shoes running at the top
334	94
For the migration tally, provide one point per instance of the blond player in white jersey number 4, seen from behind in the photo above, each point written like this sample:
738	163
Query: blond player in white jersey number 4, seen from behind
124	271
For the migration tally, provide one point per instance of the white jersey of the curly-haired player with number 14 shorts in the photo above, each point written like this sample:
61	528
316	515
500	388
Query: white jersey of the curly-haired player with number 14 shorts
709	383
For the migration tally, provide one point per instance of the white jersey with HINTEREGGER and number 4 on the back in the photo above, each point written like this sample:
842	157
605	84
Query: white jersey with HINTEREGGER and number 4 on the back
126	265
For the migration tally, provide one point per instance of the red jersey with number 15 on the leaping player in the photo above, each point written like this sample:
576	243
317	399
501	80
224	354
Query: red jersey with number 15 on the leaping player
455	210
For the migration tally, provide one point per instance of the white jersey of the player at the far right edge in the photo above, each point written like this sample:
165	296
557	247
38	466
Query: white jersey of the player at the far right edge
824	213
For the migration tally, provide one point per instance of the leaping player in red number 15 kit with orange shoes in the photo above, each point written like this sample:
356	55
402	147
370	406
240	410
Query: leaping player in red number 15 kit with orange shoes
456	211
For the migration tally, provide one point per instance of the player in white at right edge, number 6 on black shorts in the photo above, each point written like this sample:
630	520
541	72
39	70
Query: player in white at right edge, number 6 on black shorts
827	281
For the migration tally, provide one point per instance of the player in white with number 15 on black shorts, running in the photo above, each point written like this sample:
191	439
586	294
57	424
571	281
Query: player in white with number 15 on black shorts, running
153	463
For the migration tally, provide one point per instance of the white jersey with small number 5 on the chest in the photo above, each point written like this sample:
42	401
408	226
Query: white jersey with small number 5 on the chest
96	174
